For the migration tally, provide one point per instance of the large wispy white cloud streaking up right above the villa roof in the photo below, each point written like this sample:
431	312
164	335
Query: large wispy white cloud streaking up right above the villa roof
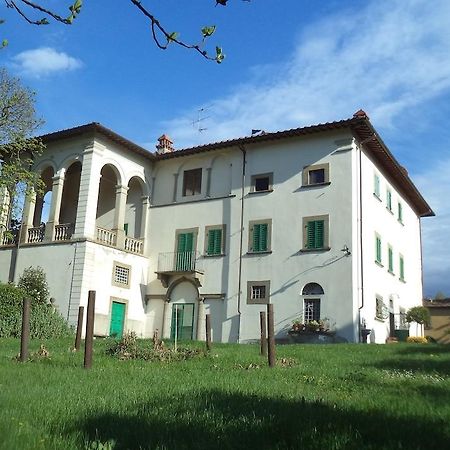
386	58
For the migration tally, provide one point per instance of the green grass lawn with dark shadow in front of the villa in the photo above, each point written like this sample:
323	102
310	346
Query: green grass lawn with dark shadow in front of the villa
333	397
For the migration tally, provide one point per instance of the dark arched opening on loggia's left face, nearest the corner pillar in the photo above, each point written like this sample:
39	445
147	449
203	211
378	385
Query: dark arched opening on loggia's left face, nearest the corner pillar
71	189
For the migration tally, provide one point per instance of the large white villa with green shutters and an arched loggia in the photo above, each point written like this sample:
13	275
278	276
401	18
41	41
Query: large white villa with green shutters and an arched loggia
322	221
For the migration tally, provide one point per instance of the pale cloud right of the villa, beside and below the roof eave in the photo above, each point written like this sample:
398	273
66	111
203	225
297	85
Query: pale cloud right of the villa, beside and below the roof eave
434	183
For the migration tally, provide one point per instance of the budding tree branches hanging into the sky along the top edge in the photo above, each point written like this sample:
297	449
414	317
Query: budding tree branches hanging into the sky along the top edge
36	14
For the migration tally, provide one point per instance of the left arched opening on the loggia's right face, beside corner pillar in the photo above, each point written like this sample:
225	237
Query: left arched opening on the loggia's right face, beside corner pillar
106	200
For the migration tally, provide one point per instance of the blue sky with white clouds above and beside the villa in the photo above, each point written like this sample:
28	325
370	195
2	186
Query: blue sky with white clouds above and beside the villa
289	63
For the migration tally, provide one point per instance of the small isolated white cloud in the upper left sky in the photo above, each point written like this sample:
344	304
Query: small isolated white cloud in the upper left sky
44	61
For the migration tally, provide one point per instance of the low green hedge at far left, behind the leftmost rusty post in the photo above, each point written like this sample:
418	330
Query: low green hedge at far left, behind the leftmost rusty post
45	321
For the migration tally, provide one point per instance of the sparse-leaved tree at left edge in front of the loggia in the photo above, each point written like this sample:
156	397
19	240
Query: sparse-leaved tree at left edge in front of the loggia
18	147
